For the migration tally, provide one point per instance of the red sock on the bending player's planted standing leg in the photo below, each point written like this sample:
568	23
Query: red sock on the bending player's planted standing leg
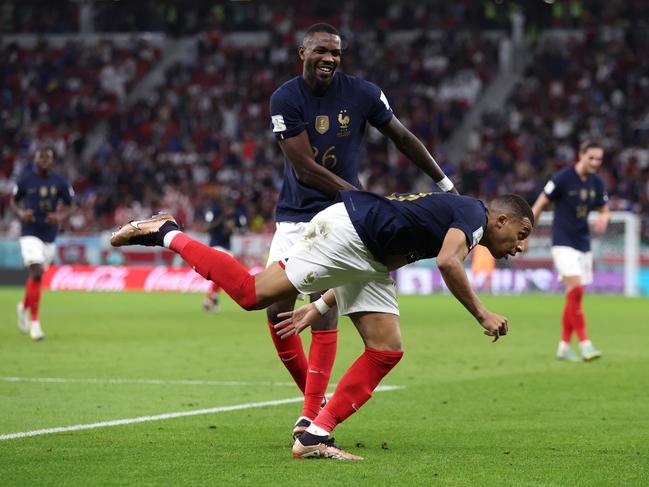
356	386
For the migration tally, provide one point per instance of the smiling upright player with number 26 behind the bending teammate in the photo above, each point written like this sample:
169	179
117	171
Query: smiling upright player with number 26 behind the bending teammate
319	120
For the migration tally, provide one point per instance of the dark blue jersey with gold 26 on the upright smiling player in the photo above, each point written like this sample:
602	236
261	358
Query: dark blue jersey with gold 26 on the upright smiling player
335	123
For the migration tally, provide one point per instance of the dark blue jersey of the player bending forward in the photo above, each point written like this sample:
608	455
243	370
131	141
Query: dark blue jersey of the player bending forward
413	224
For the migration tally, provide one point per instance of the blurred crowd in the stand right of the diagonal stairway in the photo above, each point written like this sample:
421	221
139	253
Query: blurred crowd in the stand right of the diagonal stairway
588	85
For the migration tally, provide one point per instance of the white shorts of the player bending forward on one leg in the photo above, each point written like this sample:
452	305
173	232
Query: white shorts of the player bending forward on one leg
331	255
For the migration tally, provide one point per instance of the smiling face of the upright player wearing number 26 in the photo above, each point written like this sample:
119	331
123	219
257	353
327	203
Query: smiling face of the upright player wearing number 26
320	53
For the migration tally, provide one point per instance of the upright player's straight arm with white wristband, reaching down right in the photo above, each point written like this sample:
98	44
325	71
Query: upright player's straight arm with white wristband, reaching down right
411	147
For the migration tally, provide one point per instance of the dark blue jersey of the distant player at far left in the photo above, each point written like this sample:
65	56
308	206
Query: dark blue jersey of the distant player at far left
42	195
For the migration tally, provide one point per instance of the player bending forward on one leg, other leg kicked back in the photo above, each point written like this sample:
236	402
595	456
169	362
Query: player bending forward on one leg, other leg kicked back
349	249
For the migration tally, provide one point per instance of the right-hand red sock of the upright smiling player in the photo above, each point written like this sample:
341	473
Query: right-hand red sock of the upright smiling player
322	355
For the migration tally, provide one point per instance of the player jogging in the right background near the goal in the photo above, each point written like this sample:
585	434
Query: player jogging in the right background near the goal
575	191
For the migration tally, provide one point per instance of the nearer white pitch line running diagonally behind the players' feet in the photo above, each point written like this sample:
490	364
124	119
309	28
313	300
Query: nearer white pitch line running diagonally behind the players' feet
159	417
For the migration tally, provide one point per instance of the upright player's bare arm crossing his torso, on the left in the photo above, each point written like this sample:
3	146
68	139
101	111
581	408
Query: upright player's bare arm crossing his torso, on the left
299	153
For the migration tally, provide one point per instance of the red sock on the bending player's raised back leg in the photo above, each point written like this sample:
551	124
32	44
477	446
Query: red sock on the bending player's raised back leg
219	267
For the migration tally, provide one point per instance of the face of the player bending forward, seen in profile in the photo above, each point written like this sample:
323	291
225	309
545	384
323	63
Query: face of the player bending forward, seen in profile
506	234
